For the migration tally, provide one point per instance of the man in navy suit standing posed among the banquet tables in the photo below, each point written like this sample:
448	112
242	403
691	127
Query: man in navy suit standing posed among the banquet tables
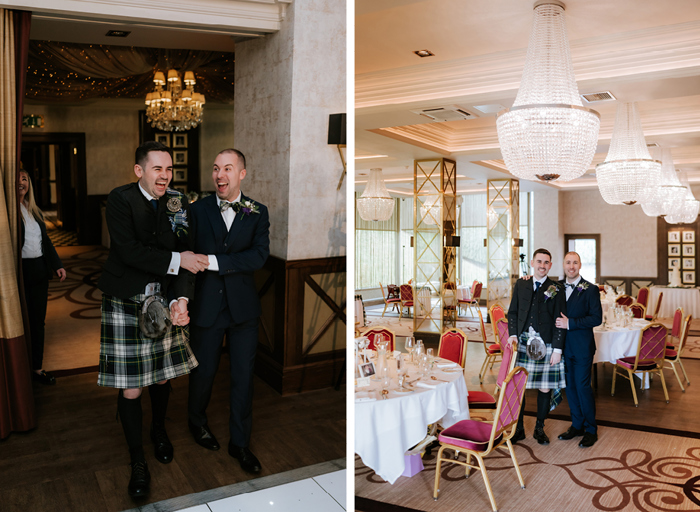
584	313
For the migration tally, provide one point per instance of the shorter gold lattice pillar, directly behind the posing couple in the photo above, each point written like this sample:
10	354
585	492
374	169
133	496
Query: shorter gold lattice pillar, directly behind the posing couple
502	246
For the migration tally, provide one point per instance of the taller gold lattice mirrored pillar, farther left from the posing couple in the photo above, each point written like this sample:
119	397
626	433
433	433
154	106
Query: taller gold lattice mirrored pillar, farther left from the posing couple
435	258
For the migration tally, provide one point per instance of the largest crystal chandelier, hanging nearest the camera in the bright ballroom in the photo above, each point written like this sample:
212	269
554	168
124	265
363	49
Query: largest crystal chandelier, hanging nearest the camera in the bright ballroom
547	134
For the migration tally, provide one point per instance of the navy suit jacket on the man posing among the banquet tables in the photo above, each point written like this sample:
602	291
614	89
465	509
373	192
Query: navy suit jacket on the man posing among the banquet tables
584	312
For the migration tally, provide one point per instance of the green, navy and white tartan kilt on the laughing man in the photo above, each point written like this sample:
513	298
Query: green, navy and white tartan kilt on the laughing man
130	360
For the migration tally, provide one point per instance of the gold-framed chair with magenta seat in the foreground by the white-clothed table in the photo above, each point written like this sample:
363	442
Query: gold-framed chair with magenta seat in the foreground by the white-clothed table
479	438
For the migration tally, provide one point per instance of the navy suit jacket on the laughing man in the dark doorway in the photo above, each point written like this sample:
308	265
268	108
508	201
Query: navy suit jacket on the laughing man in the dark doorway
240	251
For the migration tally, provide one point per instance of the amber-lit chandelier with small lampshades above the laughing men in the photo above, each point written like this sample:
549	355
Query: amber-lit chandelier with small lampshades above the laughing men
174	109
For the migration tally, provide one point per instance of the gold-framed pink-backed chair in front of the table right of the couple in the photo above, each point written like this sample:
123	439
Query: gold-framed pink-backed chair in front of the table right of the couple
649	359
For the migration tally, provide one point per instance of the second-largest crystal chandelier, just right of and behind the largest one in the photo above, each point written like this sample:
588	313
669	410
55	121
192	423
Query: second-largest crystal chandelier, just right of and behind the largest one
629	174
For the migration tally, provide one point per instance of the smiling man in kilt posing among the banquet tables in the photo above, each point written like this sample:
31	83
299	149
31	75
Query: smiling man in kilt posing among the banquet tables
537	303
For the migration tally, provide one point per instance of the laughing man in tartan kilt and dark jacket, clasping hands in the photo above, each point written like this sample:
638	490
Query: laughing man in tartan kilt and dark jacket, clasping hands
149	256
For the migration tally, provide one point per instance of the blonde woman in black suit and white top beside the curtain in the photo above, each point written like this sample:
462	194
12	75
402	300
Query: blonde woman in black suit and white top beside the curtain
39	261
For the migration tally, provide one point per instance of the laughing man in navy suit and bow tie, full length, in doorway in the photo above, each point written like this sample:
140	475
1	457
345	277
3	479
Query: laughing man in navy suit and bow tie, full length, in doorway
233	230
